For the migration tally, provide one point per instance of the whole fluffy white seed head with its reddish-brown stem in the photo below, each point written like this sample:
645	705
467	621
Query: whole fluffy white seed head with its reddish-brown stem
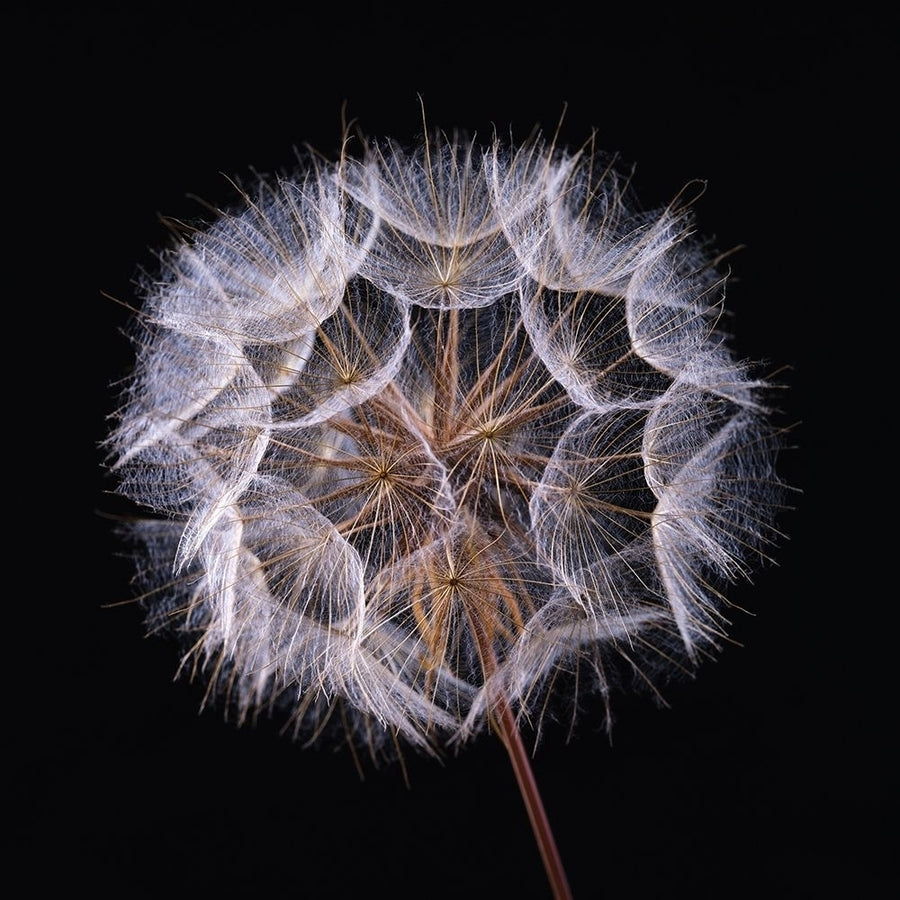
424	428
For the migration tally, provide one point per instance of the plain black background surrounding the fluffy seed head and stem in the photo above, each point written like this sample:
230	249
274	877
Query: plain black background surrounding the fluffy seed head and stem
766	776
